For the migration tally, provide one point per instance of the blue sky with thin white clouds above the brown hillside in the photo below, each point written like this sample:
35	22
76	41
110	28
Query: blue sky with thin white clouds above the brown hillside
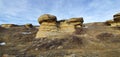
28	11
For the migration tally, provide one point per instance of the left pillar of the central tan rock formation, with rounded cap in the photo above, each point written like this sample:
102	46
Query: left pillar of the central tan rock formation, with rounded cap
48	25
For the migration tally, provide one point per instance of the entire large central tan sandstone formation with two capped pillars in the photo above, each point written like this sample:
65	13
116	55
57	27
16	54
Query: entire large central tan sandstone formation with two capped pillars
49	26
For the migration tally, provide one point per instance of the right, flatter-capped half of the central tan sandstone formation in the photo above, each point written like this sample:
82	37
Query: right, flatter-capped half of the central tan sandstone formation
70	24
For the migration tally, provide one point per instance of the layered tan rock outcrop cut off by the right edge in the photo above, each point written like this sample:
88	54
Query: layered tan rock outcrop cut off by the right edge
115	22
